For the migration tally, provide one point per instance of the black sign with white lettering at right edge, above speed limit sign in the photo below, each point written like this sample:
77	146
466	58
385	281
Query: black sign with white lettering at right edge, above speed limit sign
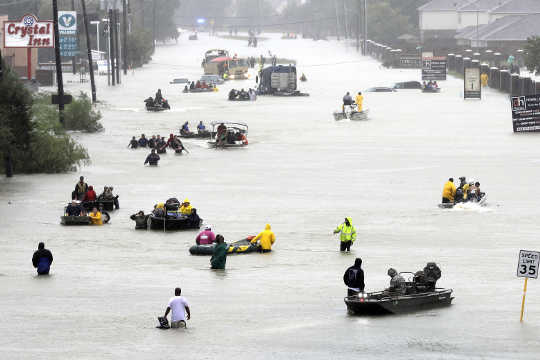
526	113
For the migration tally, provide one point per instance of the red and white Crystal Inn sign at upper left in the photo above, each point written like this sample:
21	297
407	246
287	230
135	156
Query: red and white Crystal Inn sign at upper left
28	32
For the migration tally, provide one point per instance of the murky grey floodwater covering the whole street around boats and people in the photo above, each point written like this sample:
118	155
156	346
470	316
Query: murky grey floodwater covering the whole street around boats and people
302	173
